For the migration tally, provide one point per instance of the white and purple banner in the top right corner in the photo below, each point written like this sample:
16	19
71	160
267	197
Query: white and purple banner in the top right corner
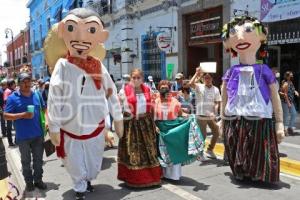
277	10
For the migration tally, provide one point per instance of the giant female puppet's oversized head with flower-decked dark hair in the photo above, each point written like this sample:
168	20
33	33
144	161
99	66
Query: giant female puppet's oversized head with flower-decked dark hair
244	35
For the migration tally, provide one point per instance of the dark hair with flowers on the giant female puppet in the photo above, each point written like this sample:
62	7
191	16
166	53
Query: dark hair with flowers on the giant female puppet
260	28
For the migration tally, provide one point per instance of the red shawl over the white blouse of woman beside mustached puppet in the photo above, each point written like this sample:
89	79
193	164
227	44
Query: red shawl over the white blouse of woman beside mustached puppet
131	97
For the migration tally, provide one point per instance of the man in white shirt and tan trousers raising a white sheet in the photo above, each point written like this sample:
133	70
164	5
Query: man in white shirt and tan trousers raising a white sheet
208	100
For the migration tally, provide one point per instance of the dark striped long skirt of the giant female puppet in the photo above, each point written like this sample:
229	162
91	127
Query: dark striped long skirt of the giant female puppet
252	150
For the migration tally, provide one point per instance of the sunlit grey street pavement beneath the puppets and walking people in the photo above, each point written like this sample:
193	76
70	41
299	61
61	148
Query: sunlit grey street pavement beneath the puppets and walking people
210	180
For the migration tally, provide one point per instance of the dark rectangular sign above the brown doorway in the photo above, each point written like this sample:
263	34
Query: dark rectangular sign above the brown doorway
205	28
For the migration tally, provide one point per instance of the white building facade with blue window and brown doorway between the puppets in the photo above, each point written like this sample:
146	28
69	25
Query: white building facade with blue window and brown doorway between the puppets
135	24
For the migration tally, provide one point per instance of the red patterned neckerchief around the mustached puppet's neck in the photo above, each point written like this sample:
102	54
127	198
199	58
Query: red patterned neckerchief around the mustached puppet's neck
90	65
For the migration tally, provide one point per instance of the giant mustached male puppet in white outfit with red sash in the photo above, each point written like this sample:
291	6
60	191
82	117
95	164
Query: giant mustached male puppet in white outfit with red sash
81	95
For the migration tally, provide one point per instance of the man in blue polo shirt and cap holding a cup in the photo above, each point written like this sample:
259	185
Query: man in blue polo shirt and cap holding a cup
23	107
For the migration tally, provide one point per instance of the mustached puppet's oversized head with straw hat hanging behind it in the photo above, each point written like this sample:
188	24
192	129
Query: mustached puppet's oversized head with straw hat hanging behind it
80	33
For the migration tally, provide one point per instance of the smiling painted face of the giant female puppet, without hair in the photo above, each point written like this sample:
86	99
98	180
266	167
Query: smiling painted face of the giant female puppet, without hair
244	39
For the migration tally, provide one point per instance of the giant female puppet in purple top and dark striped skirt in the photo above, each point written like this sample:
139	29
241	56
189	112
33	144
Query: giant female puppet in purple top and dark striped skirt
249	98
